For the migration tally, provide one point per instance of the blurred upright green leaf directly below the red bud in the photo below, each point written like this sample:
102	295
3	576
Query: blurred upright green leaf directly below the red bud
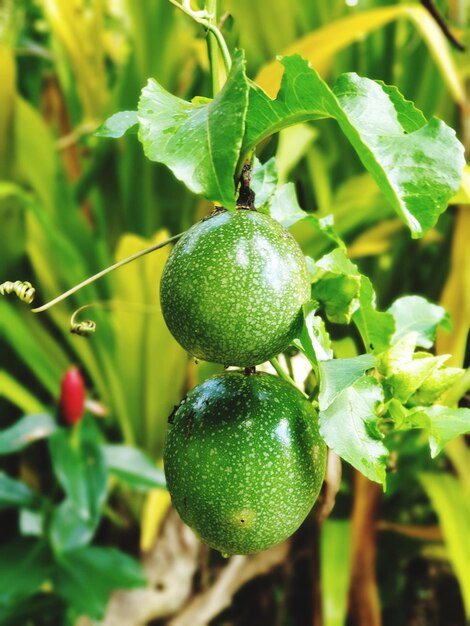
80	468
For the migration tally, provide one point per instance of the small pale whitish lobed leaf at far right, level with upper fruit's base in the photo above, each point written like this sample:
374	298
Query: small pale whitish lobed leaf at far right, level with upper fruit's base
416	314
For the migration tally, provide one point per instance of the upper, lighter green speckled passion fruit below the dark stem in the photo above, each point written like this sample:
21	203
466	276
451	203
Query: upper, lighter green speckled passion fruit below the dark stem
233	287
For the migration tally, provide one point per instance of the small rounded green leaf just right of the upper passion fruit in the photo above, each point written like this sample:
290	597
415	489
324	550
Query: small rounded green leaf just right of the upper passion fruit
336	285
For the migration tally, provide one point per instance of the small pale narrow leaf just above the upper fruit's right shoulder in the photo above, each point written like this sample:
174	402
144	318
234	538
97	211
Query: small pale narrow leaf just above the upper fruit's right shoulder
284	207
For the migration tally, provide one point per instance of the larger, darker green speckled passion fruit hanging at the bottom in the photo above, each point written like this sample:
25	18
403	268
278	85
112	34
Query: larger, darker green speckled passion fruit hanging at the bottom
244	461
